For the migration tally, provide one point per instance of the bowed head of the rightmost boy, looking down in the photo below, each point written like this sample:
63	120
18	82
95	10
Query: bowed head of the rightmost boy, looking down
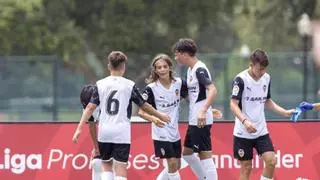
259	61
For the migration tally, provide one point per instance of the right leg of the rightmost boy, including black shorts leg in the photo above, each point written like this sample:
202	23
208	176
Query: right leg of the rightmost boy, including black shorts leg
265	148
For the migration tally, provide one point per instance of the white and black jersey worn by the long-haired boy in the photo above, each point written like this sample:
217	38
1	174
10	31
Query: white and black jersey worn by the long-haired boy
167	101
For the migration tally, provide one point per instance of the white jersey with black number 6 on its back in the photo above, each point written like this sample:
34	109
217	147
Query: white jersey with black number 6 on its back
114	95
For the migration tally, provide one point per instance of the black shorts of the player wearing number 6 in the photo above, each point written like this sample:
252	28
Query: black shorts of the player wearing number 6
118	152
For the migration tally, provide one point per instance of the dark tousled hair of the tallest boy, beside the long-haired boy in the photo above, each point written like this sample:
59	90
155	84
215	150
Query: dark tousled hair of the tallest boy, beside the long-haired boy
185	45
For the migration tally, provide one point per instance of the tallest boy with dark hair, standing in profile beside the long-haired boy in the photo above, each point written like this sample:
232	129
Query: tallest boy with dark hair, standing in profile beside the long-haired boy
201	94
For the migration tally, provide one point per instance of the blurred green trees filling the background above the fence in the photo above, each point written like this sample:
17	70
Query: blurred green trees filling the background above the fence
81	31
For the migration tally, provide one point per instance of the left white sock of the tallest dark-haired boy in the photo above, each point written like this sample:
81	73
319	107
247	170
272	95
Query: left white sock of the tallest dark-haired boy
196	166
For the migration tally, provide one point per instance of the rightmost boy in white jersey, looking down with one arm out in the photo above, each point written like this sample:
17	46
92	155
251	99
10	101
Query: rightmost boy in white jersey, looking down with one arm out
250	94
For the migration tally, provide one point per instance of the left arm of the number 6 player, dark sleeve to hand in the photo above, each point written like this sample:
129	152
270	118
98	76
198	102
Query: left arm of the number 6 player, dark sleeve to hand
87	113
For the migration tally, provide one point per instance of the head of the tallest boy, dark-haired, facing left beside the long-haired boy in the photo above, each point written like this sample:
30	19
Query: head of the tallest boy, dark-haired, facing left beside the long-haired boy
184	49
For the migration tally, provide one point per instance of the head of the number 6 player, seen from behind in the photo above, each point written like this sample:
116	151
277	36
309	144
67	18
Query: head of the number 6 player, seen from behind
117	61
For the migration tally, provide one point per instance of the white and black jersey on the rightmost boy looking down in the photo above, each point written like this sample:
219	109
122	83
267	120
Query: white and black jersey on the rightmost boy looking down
252	95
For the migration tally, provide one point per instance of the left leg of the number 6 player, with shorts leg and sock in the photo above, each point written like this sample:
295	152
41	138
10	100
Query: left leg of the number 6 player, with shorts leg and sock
106	160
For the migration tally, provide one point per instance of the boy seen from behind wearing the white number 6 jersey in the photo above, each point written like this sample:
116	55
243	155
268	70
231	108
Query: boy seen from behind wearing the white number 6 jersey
114	95
